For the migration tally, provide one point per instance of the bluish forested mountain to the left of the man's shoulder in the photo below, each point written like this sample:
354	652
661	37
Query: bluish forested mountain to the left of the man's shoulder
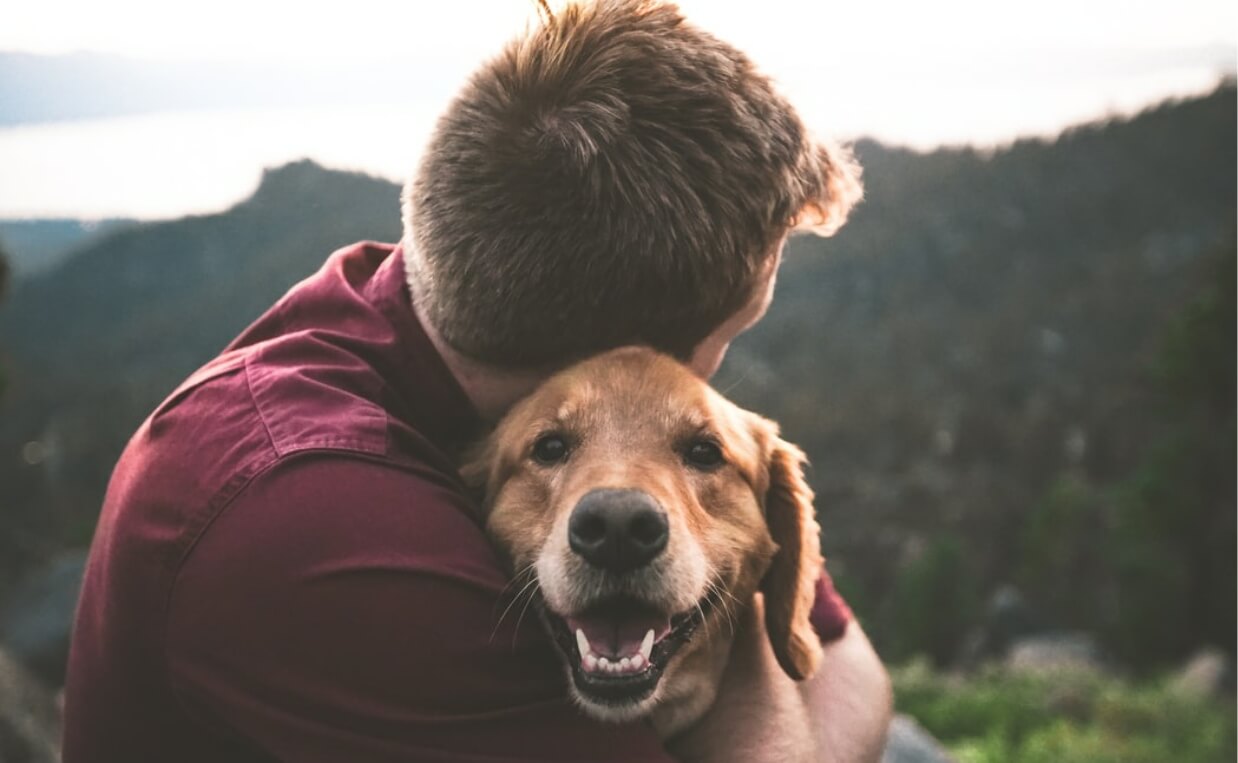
95	344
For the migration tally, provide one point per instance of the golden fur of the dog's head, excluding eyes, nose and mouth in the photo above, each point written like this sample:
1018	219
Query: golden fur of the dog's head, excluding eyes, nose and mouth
742	528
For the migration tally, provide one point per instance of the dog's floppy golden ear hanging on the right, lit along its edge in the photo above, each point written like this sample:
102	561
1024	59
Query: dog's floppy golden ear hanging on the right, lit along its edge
790	584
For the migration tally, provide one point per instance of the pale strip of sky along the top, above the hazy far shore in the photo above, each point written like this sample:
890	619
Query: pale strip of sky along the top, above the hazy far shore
776	32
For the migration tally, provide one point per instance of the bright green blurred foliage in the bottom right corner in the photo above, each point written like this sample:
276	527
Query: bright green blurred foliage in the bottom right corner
1006	718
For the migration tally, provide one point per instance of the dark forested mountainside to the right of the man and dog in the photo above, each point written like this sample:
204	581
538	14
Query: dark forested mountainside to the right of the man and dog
977	368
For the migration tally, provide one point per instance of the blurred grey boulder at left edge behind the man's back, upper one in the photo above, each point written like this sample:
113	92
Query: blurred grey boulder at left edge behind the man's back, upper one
38	617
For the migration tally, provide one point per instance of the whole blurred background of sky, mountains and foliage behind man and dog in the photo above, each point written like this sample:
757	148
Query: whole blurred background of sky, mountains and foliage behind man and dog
1013	370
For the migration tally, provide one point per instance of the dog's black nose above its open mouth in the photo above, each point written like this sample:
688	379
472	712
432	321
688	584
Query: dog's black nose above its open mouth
618	530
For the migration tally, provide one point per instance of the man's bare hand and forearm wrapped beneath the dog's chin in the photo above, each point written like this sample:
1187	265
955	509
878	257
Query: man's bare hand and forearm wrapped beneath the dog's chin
840	715
